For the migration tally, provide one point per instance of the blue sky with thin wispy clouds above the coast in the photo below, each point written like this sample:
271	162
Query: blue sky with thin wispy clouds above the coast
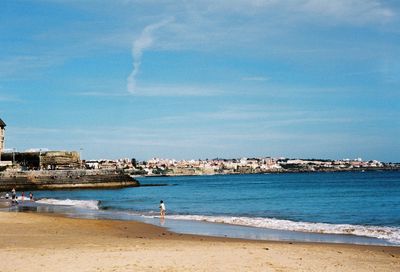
202	79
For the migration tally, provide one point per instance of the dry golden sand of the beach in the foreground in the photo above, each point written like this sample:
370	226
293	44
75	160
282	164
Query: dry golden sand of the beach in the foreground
39	242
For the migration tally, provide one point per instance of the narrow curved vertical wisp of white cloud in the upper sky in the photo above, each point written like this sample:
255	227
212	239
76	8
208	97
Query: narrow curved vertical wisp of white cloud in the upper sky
142	43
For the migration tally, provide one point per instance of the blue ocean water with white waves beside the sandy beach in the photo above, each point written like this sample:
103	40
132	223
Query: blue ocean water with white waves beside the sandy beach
340	207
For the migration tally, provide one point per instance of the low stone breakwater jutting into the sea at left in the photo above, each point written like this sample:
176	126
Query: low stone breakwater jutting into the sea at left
64	179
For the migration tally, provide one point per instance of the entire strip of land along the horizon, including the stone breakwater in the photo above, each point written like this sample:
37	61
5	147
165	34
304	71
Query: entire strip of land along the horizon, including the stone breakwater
65	170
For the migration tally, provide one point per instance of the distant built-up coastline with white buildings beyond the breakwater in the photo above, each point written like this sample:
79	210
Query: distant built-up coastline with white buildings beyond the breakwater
159	167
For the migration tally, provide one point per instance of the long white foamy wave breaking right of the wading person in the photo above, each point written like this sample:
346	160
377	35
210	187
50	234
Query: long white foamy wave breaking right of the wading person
391	234
